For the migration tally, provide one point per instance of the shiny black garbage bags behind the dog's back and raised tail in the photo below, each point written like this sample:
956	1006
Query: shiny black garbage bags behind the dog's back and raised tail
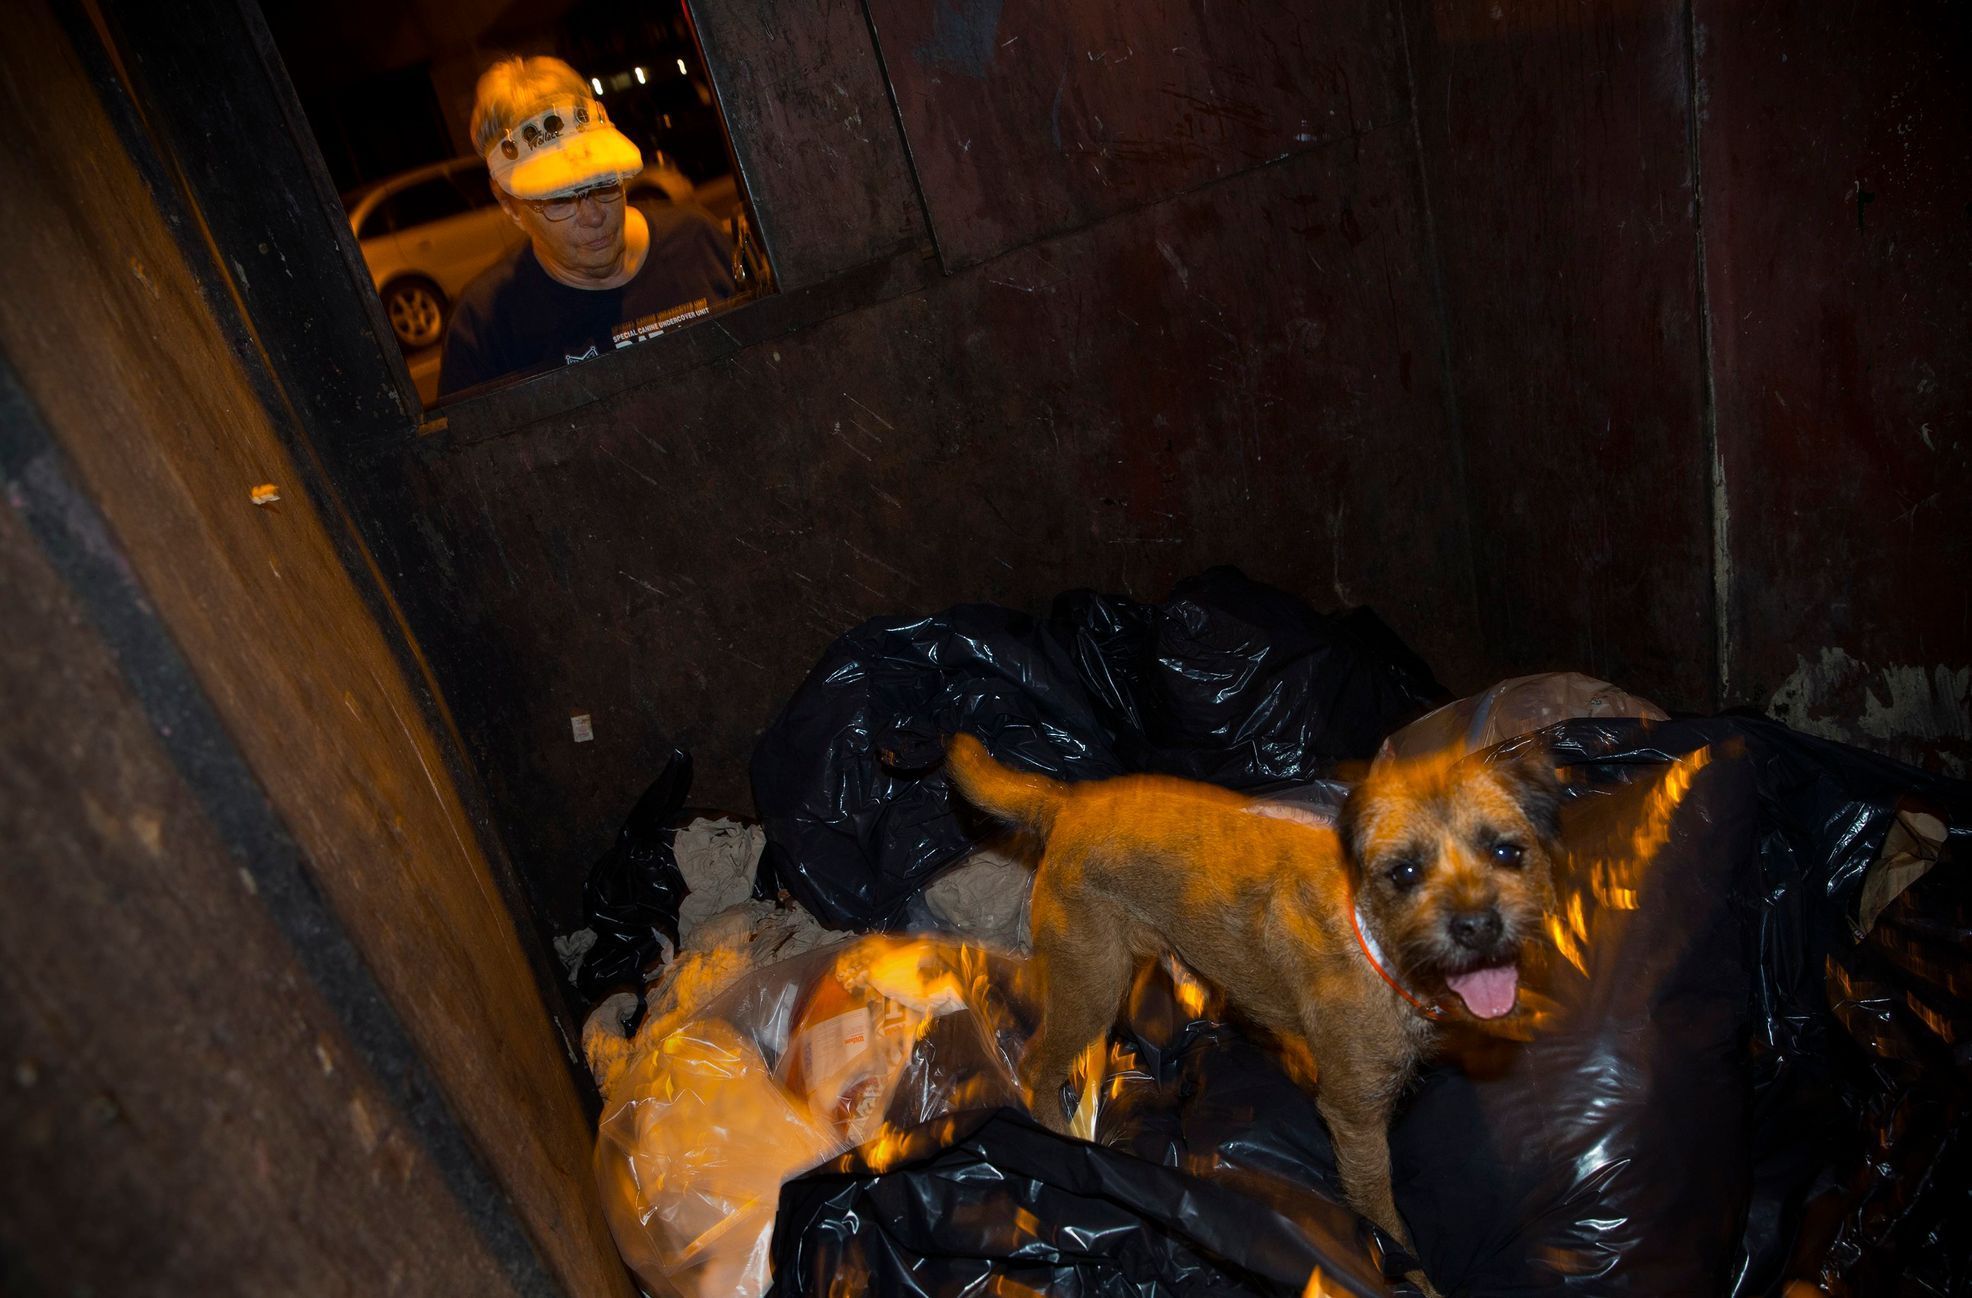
1228	680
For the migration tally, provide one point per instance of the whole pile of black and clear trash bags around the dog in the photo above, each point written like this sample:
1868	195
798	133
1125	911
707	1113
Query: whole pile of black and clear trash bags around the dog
1746	1062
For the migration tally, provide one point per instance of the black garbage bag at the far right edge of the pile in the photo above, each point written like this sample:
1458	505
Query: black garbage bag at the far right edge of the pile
1863	1080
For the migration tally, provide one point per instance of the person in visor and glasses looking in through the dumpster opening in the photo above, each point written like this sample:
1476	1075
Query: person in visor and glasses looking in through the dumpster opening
599	269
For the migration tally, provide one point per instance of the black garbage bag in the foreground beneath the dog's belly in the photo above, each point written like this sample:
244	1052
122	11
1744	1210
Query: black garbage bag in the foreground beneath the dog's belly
1210	1175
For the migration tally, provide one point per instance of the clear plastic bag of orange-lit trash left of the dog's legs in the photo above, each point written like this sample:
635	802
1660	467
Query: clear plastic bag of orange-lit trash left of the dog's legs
788	1068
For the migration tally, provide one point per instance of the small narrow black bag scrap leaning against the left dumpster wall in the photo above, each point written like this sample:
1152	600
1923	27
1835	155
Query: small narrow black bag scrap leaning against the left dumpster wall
634	893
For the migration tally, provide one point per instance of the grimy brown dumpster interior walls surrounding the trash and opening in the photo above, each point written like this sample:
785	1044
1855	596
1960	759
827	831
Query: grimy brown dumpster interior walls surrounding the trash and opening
1622	338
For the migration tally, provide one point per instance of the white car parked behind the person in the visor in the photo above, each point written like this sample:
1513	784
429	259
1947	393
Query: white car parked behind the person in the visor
427	234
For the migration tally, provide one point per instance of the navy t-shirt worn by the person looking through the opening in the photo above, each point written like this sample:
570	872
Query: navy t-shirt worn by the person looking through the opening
518	319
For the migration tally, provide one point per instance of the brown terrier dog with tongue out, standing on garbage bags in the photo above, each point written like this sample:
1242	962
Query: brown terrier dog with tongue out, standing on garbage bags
1348	942
